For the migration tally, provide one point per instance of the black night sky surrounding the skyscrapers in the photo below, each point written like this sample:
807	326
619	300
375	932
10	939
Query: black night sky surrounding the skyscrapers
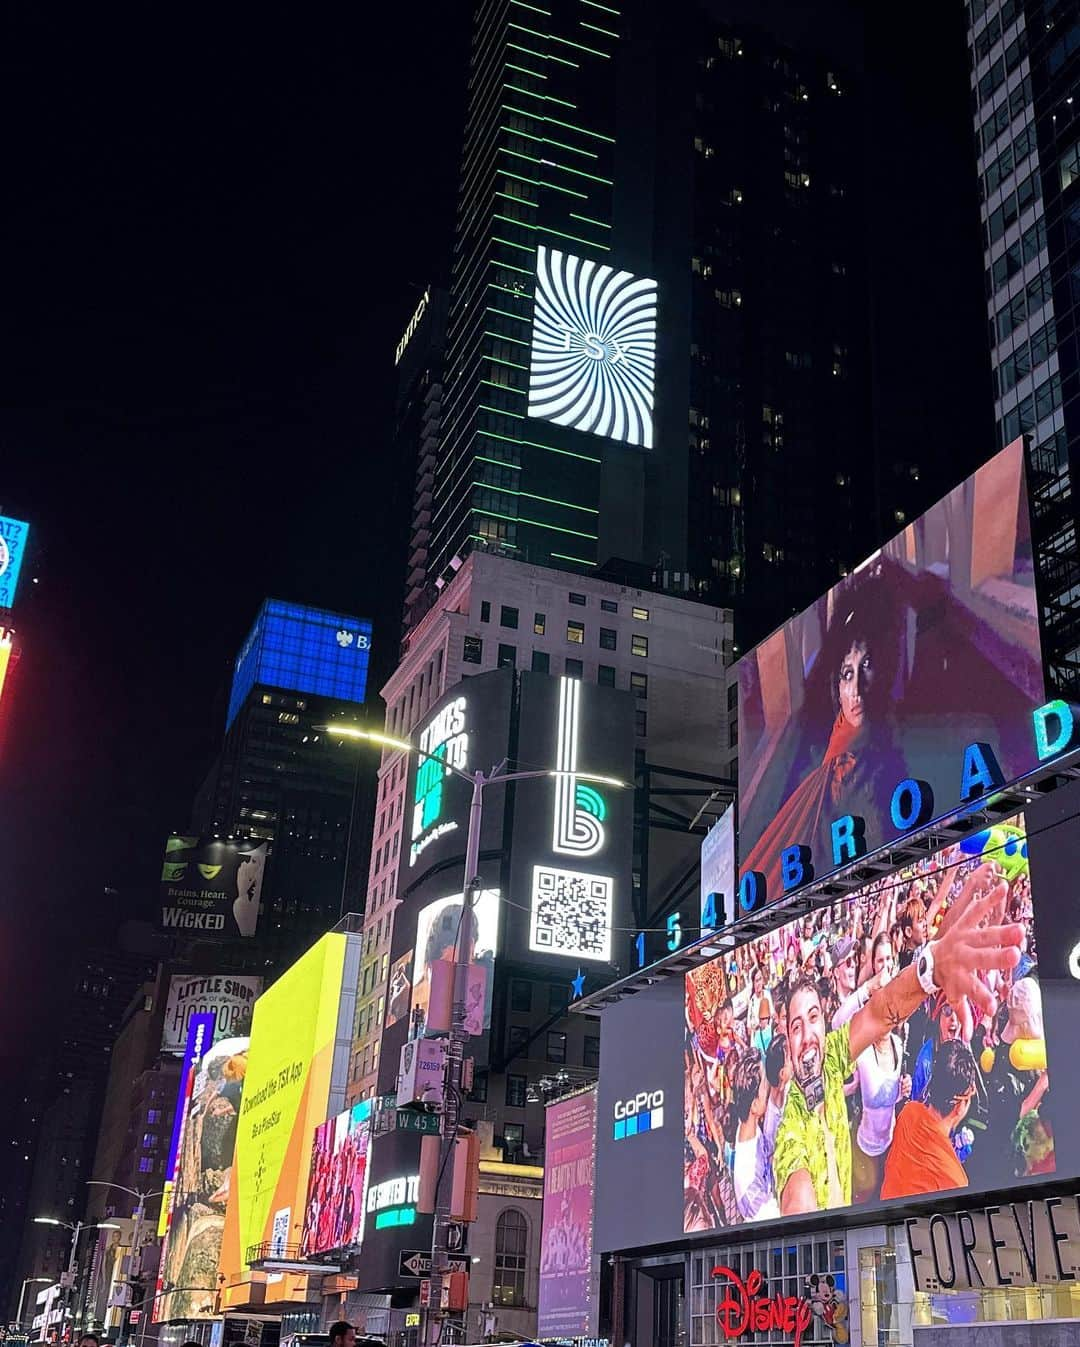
215	231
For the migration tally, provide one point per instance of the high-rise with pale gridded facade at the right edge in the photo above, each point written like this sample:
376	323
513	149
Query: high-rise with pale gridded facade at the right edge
1024	75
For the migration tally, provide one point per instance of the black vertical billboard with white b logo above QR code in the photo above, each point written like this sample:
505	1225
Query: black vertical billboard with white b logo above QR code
573	834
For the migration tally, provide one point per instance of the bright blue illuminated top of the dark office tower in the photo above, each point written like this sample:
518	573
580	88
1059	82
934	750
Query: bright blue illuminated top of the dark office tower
304	650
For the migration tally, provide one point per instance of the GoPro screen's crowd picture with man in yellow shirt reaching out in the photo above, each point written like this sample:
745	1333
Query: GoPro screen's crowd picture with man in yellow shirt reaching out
891	1046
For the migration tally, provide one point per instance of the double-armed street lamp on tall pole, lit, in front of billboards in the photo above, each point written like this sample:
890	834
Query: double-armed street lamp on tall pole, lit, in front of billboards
463	958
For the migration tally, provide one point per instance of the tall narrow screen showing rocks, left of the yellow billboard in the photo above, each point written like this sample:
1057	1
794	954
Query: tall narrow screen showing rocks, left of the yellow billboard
200	1190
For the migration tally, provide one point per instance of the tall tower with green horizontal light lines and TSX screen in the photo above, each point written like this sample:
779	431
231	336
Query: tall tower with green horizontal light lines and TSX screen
541	437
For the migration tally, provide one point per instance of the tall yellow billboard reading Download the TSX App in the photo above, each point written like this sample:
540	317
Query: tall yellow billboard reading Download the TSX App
286	1098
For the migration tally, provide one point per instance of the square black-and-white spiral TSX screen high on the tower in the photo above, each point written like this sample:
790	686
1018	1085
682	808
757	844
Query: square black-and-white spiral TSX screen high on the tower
593	363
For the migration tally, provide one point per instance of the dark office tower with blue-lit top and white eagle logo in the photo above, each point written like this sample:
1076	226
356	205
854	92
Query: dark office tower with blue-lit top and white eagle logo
279	779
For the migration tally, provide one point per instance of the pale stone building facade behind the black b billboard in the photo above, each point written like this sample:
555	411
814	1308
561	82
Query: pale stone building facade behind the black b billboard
670	653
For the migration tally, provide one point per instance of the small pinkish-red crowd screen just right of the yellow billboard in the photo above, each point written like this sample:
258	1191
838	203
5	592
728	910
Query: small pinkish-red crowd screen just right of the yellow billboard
339	1182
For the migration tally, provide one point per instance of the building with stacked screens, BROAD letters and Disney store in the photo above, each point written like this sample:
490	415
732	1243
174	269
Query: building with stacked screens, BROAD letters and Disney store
846	1100
